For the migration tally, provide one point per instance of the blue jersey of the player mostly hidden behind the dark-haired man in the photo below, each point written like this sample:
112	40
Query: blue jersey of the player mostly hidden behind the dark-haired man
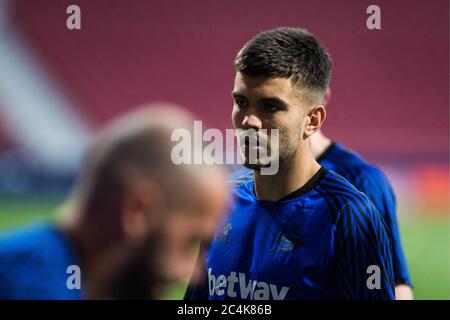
368	179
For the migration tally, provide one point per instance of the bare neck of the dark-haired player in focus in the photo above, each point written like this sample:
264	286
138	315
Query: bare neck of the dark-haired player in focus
287	180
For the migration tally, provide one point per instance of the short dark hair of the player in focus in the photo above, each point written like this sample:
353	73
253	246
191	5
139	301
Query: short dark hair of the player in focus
287	53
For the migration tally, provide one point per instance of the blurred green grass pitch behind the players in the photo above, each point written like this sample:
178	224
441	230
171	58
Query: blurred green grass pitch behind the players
425	241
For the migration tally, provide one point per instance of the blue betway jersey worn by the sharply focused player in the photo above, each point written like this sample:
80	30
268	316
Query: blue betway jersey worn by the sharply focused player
323	241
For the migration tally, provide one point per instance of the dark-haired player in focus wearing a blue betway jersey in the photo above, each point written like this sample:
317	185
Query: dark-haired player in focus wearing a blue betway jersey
305	232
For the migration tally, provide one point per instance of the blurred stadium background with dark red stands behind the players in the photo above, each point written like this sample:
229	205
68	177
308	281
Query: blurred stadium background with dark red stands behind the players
390	94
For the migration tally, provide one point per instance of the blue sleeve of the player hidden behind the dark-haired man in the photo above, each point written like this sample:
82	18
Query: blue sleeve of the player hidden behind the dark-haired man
378	189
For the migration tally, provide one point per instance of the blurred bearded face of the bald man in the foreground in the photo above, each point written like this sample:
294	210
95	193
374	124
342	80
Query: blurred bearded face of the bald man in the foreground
166	252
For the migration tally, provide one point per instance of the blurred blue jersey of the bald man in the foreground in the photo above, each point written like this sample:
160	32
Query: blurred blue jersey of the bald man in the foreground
34	262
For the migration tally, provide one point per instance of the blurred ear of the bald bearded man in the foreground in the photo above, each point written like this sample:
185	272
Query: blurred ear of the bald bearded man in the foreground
141	208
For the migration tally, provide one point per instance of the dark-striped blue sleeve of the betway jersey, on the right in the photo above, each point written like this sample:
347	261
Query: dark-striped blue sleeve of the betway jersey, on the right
362	254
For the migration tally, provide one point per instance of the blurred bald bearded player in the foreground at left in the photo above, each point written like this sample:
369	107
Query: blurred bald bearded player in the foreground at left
132	223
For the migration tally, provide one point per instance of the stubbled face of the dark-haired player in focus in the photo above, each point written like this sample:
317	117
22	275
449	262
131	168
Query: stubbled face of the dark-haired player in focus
269	103
